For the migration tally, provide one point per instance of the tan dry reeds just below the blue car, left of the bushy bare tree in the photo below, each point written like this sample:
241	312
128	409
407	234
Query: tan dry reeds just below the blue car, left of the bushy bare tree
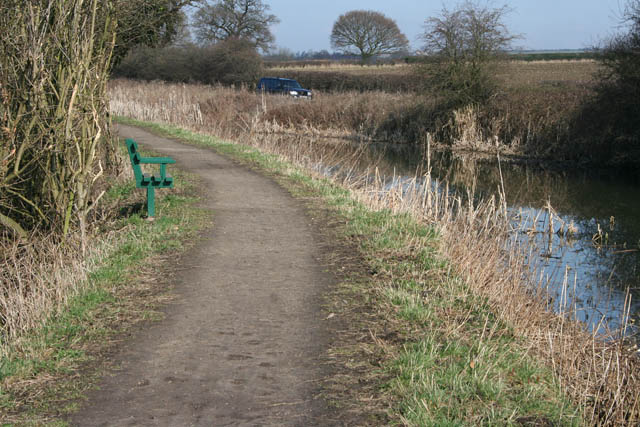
231	112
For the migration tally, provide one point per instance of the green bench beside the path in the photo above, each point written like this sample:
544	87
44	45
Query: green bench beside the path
146	180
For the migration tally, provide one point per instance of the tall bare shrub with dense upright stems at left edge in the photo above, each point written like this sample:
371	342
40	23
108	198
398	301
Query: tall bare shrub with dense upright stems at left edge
54	60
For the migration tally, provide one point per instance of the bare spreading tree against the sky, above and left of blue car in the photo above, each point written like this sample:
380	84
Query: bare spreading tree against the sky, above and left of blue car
235	19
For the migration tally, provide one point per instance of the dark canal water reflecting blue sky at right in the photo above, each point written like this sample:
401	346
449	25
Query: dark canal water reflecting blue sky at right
585	225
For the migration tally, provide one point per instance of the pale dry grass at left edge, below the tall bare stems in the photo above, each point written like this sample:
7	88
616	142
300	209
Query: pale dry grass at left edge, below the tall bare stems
39	275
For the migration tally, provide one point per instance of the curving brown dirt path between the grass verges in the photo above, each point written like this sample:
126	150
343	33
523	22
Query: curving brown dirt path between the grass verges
242	344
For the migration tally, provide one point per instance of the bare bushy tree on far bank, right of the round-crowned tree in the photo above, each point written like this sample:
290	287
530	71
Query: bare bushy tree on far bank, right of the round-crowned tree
463	44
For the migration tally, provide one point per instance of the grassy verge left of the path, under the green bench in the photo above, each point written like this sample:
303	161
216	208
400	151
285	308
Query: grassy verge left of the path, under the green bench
44	373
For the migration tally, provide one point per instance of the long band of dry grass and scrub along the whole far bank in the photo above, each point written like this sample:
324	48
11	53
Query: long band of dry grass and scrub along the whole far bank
534	122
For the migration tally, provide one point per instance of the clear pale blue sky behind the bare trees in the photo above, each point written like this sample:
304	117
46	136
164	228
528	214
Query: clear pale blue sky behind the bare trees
544	24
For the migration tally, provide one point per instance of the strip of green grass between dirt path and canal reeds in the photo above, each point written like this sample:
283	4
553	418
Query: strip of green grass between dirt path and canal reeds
433	352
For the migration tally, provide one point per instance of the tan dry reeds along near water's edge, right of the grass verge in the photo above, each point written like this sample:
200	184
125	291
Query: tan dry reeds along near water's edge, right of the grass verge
599	372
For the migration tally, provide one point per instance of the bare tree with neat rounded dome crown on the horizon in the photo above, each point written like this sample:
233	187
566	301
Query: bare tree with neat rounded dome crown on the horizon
370	33
